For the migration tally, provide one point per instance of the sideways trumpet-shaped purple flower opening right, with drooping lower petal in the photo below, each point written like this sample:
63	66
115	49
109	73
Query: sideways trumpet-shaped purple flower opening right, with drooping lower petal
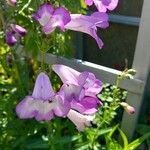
89	24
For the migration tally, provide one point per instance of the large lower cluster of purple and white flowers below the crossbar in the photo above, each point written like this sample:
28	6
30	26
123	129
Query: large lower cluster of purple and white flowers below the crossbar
76	99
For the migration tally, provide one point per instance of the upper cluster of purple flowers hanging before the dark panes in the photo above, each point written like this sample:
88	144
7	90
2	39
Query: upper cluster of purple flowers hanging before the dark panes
50	18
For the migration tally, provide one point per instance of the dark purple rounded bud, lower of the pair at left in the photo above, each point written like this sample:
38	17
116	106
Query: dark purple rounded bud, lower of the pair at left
10	39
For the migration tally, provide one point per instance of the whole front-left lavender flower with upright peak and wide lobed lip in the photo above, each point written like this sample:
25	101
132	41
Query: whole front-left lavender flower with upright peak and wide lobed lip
43	104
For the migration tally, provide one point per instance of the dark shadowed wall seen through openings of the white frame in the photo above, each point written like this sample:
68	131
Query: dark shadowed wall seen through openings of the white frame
119	40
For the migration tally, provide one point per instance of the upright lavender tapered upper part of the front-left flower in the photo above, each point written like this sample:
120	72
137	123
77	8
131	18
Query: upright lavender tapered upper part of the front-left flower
42	89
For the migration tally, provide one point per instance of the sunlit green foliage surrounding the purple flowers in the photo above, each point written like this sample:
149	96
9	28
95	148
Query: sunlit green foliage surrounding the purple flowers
17	76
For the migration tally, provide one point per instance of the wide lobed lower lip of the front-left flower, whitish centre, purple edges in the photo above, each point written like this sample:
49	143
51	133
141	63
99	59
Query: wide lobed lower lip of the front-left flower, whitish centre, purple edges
42	110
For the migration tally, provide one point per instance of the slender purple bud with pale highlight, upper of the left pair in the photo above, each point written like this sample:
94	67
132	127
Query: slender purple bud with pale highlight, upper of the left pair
18	29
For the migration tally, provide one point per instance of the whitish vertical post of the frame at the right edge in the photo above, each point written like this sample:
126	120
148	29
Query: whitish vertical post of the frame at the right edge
141	64
